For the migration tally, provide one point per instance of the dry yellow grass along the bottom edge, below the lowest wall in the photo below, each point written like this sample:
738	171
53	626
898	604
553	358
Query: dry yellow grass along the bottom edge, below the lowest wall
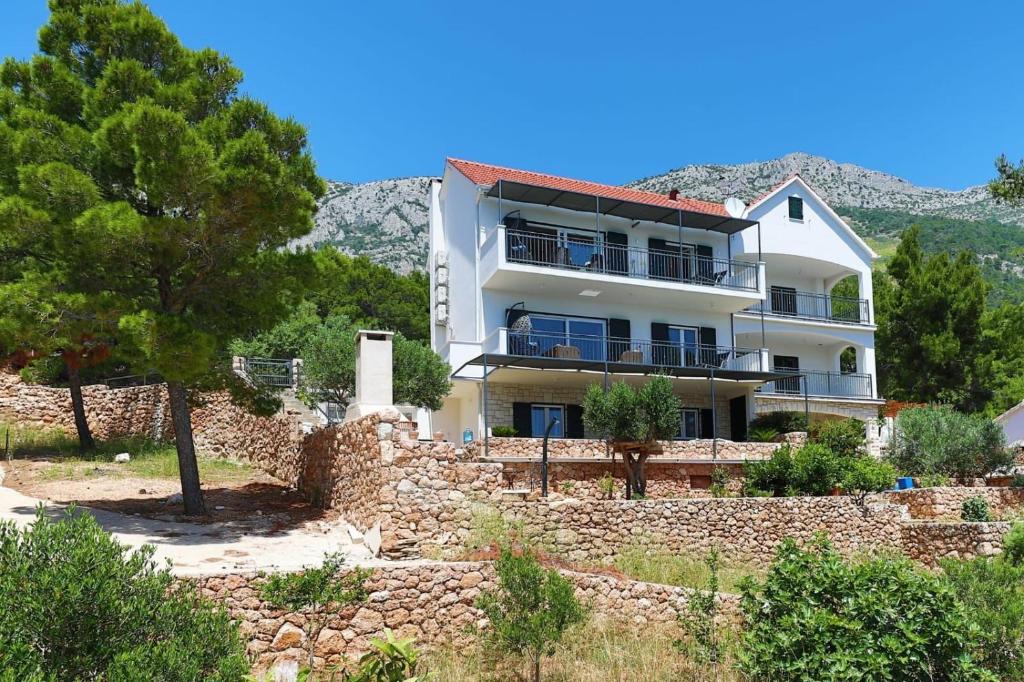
596	652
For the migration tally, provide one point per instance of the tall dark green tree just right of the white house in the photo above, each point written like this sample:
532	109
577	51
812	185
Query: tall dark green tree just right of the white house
929	317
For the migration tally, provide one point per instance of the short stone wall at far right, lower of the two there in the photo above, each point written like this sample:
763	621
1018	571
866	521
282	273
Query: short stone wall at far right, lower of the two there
928	542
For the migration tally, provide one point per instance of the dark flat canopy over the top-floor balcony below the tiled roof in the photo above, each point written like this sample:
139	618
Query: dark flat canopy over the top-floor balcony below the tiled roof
574	201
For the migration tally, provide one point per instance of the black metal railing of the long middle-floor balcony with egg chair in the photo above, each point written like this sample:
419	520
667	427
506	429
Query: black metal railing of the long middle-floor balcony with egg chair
630	352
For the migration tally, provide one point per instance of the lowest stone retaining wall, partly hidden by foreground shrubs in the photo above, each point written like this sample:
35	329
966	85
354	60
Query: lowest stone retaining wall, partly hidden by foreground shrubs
433	603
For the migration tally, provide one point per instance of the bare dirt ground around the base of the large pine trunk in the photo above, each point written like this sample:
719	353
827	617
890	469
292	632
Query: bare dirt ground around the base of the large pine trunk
249	501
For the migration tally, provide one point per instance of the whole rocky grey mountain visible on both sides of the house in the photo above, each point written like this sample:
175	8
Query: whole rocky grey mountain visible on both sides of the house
388	220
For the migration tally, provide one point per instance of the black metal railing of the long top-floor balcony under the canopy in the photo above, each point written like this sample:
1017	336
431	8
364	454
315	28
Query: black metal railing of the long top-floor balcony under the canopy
587	255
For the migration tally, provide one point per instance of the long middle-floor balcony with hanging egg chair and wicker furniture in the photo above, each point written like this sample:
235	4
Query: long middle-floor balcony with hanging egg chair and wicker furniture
546	350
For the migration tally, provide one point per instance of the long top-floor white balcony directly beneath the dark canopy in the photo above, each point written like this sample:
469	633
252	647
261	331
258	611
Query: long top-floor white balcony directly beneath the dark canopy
572	264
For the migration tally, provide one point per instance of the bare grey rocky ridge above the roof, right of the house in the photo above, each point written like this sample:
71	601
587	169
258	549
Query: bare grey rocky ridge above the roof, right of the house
840	185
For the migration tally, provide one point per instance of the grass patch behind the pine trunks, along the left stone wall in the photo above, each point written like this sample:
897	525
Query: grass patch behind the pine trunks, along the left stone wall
150	459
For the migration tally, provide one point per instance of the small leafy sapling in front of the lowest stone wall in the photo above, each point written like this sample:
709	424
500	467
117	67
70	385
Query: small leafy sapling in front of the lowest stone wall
531	610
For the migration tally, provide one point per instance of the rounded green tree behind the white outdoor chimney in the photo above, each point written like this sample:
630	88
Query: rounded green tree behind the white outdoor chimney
420	376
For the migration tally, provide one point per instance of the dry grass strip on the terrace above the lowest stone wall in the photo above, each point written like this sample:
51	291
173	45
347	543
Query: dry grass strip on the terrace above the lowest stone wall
664	568
